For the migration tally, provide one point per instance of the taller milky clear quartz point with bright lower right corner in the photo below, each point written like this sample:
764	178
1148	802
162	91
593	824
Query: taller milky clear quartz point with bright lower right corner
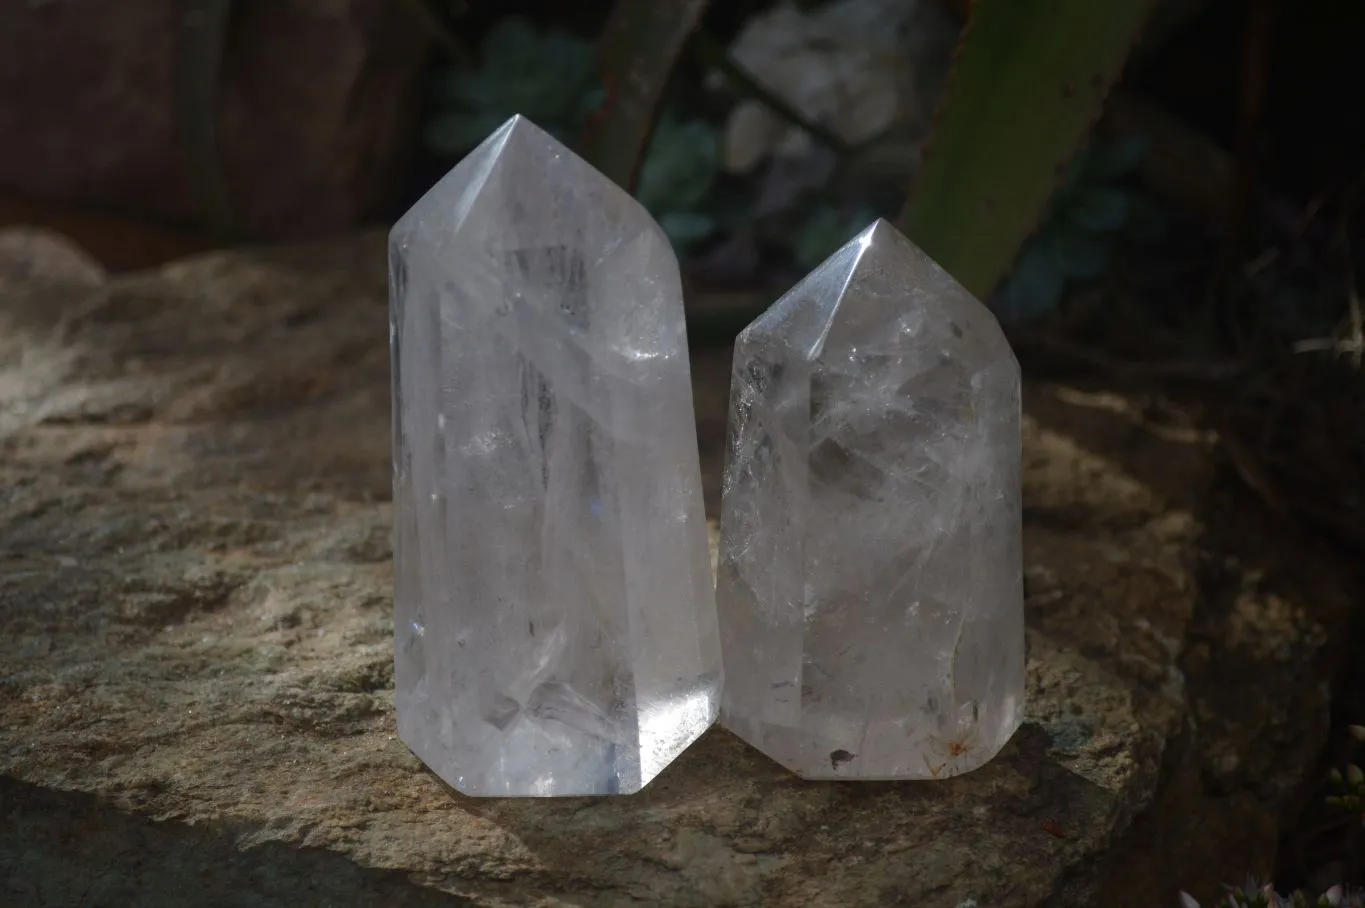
555	615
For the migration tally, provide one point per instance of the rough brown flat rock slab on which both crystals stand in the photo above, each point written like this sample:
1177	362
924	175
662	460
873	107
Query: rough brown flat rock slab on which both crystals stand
196	647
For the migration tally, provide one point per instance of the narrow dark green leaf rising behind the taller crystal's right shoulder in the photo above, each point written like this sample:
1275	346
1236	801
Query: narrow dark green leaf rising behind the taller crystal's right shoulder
635	57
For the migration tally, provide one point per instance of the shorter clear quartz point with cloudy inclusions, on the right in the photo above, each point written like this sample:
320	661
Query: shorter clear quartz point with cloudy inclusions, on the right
870	578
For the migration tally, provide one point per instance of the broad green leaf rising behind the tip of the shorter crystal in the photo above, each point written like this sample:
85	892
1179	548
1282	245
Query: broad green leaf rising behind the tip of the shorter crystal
1030	81
